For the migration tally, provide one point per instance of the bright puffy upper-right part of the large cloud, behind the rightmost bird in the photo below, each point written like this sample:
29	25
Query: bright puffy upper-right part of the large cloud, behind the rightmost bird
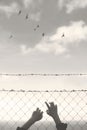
74	33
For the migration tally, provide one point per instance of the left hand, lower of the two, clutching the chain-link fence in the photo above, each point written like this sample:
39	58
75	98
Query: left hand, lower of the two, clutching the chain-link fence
37	115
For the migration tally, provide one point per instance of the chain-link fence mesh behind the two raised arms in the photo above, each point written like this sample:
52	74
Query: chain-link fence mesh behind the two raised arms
17	106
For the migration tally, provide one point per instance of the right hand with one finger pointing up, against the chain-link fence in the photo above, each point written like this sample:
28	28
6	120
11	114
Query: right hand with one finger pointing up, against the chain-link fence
52	109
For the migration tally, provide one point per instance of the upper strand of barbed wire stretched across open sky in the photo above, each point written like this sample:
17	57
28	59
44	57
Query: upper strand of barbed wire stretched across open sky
42	74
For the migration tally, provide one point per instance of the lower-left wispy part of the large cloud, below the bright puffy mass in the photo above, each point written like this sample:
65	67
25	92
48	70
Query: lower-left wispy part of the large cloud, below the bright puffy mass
44	47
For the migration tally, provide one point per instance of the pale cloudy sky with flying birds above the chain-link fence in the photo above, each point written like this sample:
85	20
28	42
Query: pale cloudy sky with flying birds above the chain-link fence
57	45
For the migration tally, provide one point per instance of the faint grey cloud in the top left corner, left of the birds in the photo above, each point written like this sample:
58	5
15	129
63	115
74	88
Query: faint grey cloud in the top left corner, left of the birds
9	9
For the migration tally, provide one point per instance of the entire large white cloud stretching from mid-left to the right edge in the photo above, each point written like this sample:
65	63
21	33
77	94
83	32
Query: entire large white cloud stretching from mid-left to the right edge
74	33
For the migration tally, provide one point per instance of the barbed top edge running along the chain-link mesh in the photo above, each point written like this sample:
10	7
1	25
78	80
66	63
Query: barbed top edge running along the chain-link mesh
21	90
